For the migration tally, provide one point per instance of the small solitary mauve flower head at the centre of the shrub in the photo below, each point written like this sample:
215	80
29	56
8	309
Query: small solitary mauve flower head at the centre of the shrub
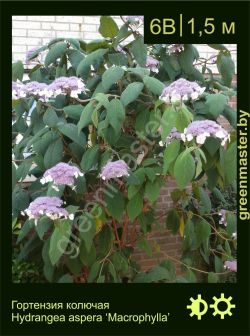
114	169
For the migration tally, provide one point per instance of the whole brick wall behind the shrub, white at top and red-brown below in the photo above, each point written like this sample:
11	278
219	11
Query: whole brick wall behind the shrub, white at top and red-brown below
34	31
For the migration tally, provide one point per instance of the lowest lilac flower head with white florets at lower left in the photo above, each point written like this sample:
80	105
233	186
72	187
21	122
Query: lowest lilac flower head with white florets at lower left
47	206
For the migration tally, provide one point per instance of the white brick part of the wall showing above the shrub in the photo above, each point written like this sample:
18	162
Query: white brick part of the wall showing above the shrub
31	31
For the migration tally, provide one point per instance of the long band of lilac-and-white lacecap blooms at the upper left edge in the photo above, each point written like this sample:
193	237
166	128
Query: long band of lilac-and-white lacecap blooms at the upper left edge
62	85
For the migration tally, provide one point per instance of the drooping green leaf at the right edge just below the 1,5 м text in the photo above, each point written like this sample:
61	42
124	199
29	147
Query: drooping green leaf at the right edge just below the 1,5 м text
226	67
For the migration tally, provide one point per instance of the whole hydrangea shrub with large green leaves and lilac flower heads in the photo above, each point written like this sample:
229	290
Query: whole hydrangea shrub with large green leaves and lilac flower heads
101	127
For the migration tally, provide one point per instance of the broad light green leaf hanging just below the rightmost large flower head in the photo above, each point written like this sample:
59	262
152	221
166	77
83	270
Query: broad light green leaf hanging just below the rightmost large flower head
184	161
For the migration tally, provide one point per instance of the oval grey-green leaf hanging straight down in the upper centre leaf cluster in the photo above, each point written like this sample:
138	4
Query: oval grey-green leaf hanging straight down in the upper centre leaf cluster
115	114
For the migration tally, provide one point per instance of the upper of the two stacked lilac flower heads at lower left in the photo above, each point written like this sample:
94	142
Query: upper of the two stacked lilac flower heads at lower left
62	173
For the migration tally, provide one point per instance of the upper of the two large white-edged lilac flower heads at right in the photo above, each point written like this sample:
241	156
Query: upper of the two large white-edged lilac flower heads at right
181	90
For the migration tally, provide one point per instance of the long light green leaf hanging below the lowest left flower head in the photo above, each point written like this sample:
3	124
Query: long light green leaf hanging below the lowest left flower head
59	240
